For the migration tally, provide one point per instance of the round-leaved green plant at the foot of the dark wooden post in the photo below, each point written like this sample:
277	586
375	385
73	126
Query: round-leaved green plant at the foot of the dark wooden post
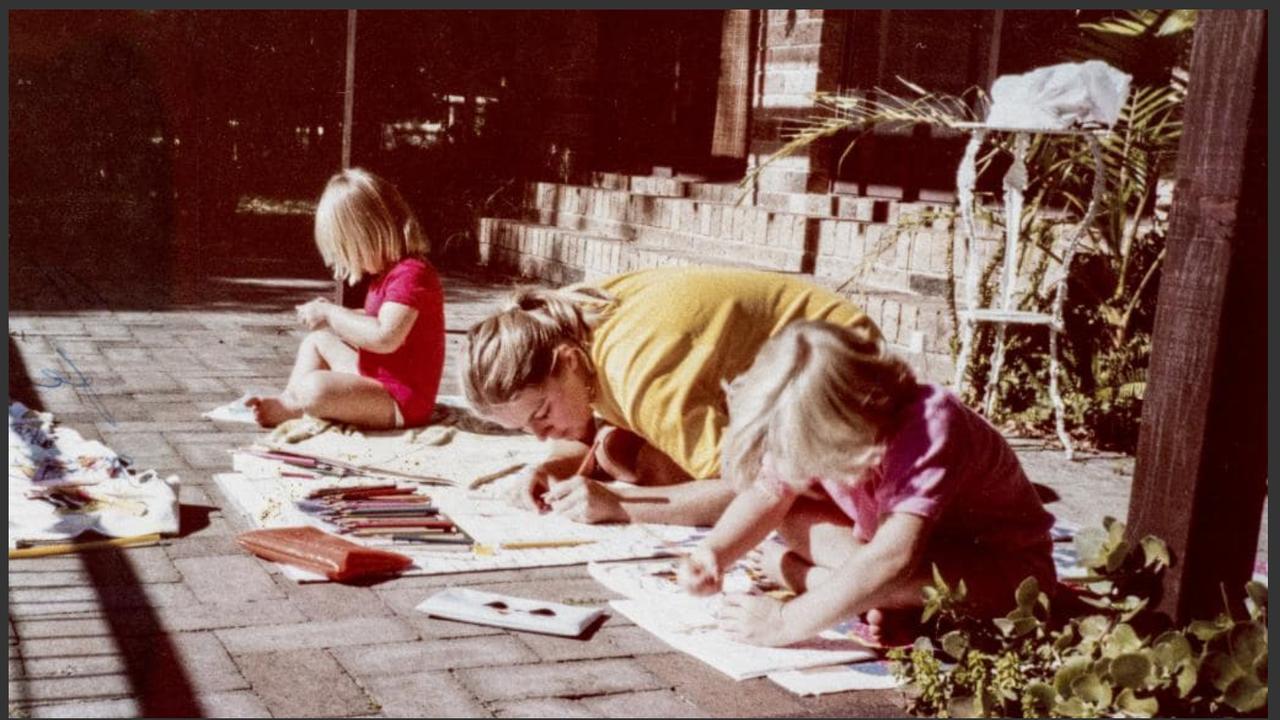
1113	660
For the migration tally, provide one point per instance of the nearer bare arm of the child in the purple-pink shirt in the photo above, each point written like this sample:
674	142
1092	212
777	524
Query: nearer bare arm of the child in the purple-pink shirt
881	573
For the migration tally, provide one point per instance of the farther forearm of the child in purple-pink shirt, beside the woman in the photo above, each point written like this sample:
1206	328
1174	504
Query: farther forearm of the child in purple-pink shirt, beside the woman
748	521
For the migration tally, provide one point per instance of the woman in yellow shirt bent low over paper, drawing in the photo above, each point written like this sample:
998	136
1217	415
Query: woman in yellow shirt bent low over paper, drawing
650	353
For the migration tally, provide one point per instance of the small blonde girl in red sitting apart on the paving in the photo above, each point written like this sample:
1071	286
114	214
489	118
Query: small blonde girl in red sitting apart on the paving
381	367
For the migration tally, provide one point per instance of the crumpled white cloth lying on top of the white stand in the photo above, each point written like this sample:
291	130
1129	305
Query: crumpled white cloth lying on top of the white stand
1067	97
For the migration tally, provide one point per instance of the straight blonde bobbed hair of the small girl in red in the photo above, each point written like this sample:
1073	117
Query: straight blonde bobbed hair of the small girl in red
363	222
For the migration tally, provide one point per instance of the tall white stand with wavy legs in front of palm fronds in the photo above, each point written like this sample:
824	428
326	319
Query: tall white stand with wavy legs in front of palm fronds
1004	316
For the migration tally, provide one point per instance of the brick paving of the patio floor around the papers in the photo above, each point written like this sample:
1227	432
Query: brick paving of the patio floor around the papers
199	627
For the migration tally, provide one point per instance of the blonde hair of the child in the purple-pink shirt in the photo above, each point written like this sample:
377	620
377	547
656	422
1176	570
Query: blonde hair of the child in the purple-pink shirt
820	400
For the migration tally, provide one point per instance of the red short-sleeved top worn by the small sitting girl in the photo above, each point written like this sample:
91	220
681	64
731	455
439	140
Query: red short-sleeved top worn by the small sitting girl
412	373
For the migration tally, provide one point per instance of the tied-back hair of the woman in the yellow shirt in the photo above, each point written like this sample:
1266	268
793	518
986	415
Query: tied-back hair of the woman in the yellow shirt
515	349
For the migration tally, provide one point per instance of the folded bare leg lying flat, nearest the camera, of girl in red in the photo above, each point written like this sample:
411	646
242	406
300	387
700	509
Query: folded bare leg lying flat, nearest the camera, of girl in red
345	398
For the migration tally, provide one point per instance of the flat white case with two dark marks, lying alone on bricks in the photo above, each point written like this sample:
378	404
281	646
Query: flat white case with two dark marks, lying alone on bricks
510	612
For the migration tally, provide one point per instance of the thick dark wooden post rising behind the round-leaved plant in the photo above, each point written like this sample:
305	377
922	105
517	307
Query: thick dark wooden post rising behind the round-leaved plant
1201	476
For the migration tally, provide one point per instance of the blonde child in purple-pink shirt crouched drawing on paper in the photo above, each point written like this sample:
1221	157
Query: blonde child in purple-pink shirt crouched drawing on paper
871	480
